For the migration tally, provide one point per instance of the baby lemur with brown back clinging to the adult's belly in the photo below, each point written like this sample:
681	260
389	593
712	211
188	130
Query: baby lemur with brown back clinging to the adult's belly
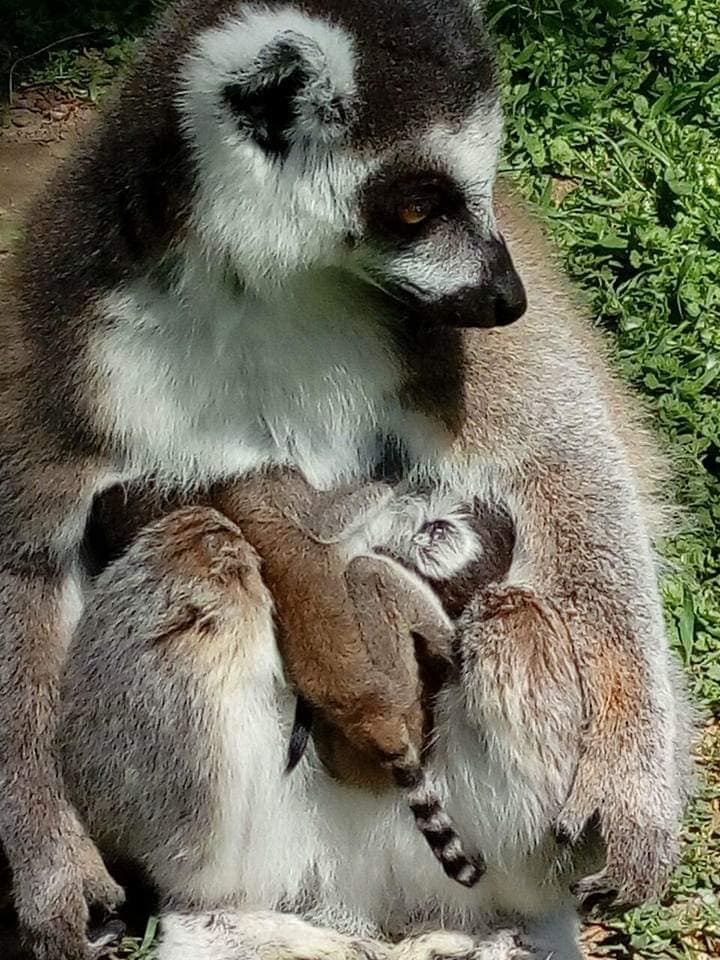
373	558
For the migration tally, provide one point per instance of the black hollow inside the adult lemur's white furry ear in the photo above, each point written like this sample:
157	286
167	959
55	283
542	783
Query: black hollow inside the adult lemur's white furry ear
268	112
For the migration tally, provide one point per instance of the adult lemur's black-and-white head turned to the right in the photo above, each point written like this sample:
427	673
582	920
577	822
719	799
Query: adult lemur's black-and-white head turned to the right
355	135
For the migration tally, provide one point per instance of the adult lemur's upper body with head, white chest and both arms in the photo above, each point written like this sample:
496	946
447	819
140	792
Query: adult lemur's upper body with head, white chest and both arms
229	274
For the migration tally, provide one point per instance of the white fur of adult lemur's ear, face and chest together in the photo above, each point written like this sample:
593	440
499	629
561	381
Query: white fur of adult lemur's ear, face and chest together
262	339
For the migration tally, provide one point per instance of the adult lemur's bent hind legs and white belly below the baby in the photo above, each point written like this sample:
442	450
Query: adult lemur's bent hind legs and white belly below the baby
195	788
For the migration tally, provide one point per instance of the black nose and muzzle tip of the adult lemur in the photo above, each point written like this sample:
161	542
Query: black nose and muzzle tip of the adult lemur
499	299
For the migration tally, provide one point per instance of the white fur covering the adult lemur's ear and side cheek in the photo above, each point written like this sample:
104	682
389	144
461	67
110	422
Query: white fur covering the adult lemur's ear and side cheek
269	218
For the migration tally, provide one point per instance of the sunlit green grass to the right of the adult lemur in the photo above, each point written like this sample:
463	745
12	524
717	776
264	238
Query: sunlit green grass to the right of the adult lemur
613	117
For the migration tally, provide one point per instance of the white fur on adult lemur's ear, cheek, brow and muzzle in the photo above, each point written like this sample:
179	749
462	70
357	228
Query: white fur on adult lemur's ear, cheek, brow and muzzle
269	219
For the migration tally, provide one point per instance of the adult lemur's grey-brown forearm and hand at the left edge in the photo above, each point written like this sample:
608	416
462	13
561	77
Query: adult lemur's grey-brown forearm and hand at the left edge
44	499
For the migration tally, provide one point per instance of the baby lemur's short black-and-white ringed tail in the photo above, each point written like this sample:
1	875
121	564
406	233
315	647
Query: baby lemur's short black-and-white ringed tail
437	827
